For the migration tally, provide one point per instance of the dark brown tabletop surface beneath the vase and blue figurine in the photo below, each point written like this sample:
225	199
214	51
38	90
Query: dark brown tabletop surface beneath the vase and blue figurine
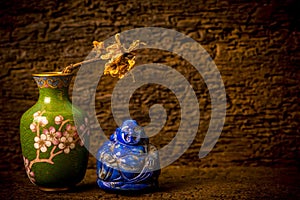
175	183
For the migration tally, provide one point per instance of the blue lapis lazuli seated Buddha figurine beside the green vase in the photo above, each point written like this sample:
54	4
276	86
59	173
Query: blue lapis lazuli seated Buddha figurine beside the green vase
128	161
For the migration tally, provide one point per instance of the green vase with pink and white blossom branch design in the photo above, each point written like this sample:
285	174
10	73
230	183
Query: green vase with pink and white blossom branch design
53	143
